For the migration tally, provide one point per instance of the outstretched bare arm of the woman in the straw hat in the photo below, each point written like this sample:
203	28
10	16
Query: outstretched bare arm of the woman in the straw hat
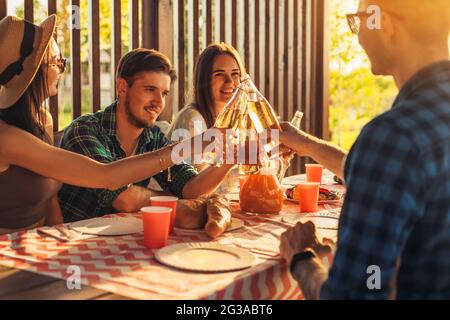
22	149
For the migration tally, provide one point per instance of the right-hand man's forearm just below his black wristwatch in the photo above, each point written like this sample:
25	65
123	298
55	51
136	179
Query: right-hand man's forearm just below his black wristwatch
310	275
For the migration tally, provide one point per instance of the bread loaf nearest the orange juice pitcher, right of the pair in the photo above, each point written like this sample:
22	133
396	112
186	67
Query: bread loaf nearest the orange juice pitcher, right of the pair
219	216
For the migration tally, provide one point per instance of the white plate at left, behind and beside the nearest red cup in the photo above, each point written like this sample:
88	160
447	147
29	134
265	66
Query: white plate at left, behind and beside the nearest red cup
113	226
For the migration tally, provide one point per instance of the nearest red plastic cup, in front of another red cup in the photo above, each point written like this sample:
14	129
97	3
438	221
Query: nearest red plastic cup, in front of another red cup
156	222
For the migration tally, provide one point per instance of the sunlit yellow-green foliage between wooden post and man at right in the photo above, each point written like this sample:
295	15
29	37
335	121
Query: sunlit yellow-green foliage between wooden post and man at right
356	96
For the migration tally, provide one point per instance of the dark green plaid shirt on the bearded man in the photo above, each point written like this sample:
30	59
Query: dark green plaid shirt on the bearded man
95	135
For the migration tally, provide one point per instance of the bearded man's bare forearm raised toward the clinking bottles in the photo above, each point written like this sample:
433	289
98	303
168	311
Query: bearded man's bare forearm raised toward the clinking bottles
206	181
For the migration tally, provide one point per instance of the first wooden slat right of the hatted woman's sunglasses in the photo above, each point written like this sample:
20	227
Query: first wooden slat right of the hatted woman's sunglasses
76	68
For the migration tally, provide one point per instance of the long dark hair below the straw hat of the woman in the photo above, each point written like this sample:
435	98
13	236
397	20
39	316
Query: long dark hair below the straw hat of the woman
26	112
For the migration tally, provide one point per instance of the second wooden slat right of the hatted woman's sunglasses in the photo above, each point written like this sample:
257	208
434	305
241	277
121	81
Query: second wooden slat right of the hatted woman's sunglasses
94	55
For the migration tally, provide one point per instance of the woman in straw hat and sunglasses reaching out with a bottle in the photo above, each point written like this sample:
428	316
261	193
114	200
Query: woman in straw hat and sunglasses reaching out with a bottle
31	169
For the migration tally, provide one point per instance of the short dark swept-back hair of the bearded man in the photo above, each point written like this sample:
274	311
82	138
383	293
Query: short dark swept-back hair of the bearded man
144	60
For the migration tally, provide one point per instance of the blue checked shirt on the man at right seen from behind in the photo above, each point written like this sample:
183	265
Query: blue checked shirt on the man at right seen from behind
396	213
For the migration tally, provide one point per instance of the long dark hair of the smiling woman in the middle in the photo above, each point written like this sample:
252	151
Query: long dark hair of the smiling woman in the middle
202	99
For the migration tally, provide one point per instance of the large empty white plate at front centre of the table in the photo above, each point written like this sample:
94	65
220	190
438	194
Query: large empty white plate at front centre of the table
205	257
